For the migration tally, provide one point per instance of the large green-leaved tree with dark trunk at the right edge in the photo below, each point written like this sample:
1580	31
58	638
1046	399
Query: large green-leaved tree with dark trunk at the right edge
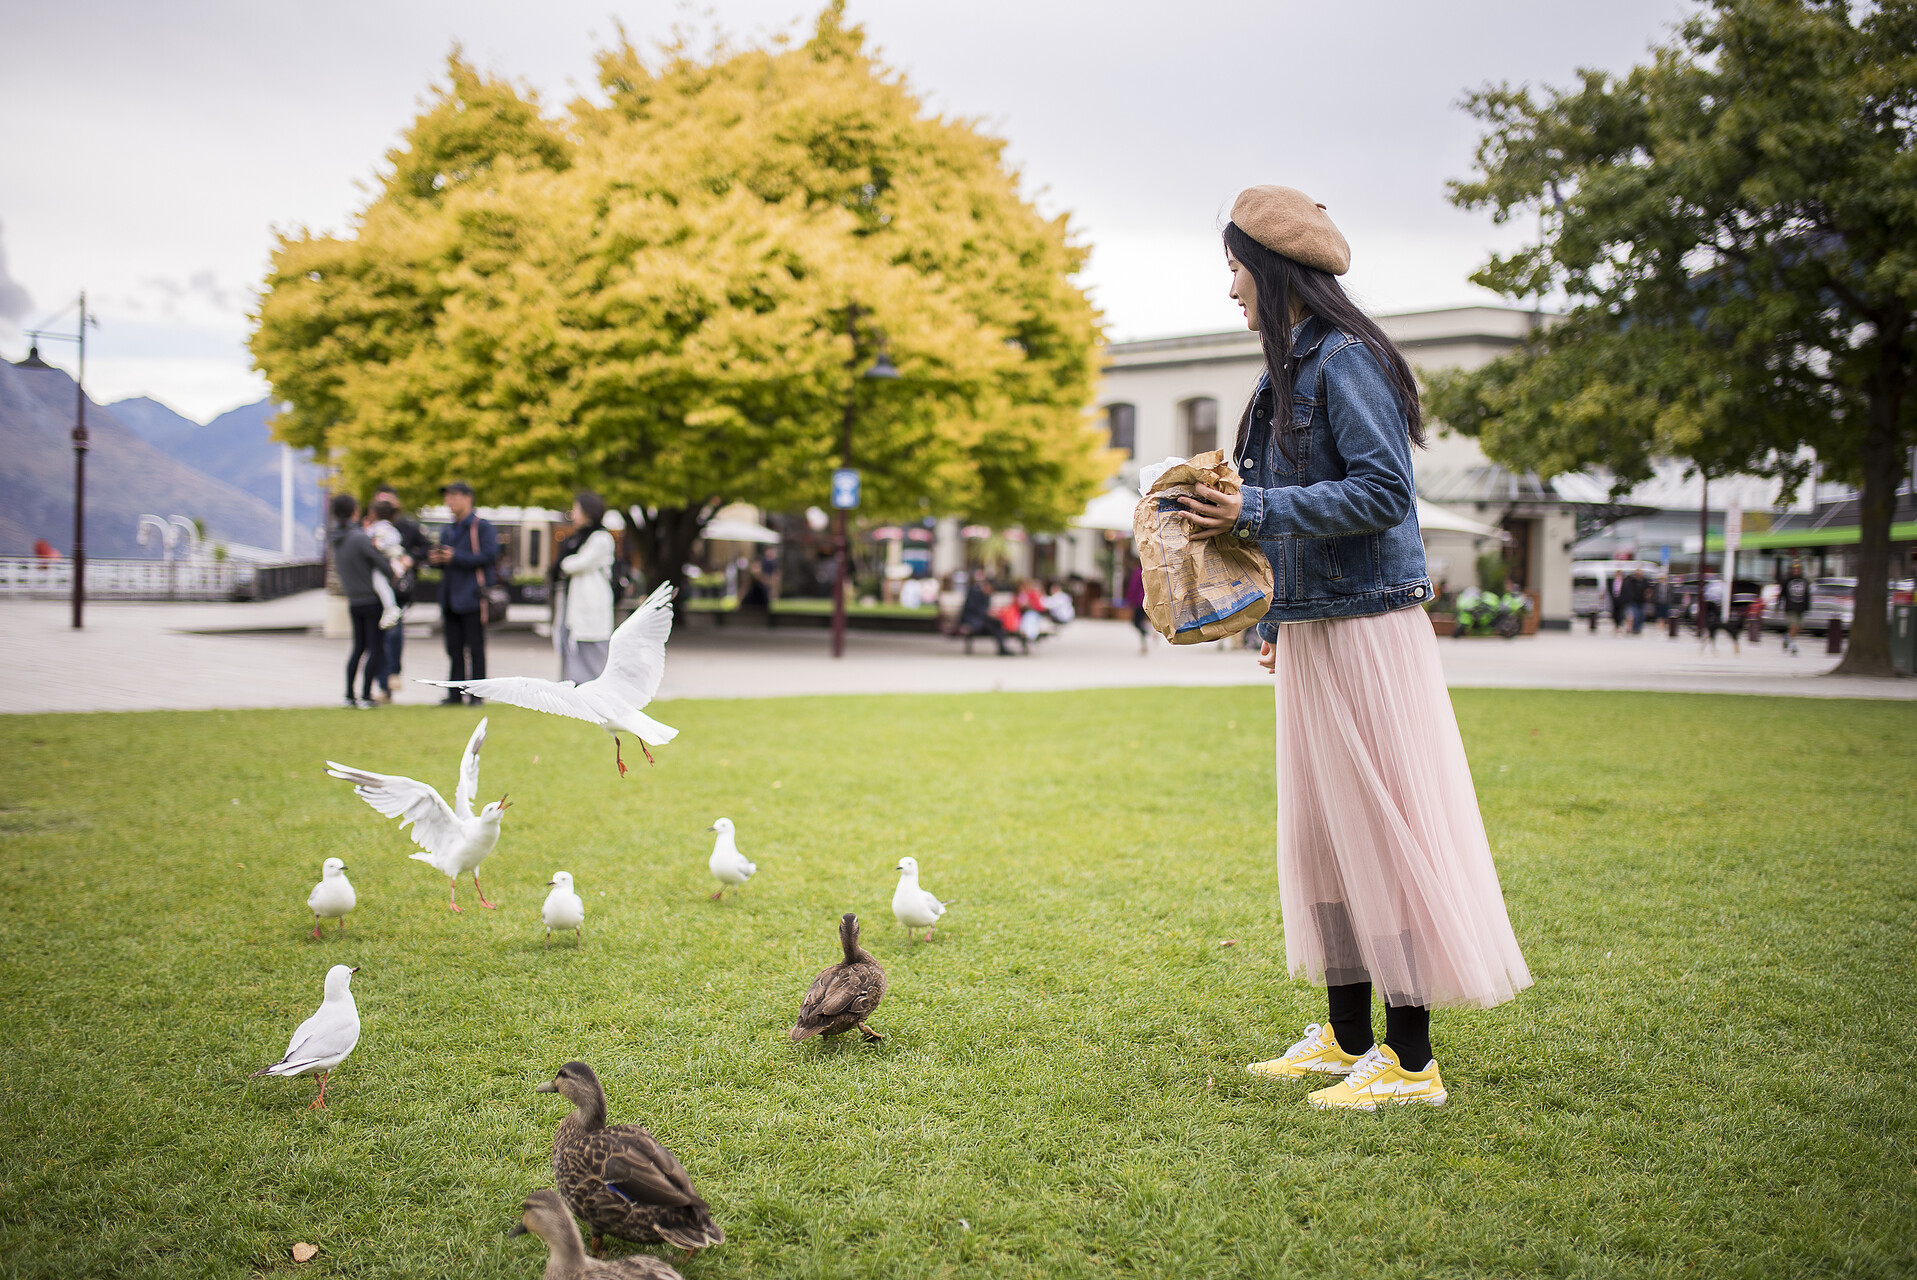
1736	229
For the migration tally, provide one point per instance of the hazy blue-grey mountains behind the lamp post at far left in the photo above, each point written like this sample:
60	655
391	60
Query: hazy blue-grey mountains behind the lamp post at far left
127	476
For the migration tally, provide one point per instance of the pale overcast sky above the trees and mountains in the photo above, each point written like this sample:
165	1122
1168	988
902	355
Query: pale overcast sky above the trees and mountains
152	149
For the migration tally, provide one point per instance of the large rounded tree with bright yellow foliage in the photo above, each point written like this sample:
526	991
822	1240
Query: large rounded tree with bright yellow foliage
672	298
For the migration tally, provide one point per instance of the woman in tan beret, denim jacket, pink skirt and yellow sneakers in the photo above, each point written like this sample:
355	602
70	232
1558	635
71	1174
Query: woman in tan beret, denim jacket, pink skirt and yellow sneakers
1385	873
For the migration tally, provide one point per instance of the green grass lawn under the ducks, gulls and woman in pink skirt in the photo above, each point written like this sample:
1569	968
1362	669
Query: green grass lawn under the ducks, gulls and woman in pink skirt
1713	1076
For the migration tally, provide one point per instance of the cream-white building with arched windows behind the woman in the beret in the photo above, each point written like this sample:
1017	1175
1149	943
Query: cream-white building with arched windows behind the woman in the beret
1184	396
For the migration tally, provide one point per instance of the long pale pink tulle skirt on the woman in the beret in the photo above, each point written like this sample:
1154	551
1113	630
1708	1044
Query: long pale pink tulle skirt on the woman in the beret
1385	873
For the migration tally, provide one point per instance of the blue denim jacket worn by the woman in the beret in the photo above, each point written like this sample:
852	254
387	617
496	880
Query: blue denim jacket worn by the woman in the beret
1339	518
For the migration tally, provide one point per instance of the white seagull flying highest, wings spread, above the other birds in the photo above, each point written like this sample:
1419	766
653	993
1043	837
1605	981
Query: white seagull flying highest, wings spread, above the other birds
635	664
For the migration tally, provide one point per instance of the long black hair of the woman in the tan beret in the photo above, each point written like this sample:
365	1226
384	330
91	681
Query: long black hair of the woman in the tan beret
1287	286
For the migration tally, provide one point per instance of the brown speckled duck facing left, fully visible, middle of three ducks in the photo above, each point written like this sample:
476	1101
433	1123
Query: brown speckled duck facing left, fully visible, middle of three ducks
618	1177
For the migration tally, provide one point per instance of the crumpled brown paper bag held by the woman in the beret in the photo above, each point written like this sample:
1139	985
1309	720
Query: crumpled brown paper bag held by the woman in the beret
1197	591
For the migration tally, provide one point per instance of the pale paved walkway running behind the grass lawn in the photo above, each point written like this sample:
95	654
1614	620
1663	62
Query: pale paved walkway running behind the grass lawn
187	656
